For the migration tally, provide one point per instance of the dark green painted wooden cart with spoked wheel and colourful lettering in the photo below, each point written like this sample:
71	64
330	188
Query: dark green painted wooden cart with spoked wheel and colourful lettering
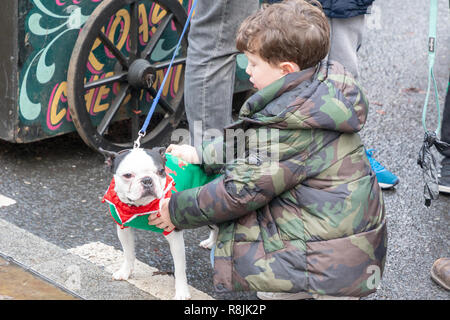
92	66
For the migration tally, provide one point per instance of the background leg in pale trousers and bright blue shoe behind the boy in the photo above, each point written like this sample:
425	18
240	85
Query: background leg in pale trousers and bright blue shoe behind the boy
346	38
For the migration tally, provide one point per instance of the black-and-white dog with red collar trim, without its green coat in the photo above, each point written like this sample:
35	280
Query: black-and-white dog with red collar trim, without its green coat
140	181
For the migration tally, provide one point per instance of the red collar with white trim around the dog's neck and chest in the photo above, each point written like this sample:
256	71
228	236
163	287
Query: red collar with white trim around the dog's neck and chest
126	213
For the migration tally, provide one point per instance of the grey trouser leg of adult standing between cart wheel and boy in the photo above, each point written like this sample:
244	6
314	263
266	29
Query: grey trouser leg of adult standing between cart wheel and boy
211	65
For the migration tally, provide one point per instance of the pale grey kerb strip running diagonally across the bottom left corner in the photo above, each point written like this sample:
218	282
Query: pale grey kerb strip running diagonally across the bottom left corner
61	267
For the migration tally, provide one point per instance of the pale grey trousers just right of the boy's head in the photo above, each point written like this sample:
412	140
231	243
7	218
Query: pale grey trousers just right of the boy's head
346	38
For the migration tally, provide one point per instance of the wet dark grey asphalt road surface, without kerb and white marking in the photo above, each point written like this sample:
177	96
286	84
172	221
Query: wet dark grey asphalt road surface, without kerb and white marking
58	183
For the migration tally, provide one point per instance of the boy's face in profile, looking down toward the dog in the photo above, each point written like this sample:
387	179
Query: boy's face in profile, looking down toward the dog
261	72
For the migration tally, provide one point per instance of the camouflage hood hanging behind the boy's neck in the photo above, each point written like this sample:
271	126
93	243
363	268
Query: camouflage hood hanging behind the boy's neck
322	97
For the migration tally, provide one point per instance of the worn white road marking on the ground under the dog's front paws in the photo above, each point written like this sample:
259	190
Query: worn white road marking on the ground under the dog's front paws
160	286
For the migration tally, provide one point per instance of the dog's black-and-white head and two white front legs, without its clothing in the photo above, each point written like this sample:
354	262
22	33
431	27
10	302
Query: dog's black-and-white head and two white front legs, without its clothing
140	178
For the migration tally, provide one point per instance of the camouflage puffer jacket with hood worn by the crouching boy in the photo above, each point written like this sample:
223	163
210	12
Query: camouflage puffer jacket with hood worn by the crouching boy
312	221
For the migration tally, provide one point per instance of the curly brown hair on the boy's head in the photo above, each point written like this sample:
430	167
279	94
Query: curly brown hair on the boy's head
292	30
